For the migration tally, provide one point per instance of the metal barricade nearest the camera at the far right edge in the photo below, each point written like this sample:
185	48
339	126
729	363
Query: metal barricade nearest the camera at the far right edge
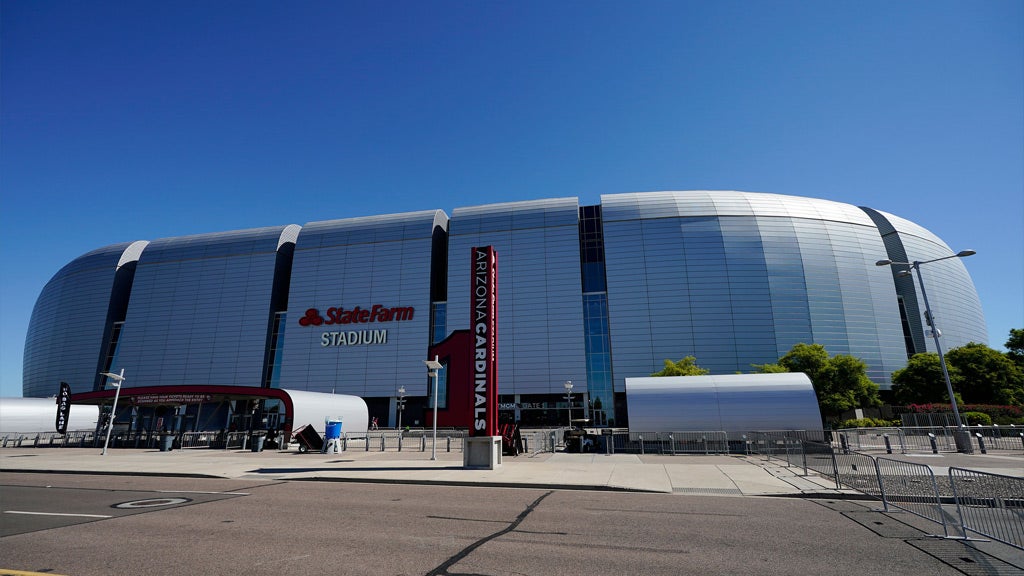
990	505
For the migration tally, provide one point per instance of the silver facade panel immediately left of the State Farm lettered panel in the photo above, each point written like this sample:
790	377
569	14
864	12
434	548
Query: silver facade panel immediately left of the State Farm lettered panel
200	310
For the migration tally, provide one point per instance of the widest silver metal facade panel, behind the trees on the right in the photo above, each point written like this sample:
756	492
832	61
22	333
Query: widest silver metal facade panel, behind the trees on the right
737	279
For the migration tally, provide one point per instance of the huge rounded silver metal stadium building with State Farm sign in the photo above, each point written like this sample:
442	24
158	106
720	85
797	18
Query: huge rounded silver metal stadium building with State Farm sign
587	295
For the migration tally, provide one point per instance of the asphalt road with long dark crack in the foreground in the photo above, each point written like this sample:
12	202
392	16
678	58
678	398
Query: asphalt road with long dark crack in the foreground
228	527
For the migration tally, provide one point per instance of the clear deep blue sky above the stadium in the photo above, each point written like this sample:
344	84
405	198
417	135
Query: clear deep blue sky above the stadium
141	120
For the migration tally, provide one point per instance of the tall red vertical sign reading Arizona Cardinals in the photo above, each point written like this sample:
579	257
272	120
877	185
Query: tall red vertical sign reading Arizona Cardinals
485	328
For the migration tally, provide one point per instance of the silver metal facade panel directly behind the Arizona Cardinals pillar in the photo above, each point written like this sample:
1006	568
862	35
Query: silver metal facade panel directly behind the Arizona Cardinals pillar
540	307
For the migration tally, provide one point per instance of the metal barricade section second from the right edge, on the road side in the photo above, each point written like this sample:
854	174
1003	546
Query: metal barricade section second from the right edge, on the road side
912	488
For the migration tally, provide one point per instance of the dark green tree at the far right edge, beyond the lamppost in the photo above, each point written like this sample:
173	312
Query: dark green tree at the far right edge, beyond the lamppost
990	377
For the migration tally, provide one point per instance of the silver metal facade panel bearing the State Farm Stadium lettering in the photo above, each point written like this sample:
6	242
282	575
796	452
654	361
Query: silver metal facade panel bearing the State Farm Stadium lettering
379	261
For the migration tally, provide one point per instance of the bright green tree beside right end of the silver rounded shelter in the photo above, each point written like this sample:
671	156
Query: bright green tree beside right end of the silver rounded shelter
841	382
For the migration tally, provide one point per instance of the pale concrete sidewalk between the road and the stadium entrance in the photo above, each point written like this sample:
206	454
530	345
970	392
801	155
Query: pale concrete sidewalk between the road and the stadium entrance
699	475
